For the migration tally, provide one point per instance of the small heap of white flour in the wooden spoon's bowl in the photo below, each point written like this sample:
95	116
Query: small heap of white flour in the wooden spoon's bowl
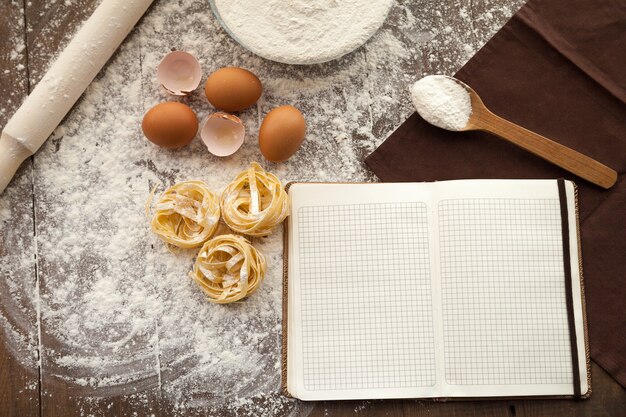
441	101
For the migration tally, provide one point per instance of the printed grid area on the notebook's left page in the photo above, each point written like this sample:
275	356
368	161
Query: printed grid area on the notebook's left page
366	296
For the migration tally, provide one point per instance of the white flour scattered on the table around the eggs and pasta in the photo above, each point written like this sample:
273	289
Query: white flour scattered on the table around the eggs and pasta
119	315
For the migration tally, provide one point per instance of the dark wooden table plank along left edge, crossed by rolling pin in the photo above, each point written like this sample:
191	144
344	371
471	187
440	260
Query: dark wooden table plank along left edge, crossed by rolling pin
19	371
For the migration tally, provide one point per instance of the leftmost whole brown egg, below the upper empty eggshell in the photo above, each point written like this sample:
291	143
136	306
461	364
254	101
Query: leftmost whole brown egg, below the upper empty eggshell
170	125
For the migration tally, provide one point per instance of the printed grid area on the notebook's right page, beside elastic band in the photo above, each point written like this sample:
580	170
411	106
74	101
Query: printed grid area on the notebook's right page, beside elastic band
503	292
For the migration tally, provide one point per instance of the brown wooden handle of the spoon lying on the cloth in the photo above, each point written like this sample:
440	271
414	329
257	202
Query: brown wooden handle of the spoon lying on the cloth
568	159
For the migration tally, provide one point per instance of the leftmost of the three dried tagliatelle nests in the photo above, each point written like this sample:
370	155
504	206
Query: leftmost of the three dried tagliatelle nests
186	214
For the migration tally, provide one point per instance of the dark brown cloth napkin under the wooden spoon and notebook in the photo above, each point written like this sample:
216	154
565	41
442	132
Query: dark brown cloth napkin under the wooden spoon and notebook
558	68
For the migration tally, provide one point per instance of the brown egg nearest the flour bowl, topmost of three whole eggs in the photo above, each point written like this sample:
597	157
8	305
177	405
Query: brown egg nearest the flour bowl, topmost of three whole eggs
233	89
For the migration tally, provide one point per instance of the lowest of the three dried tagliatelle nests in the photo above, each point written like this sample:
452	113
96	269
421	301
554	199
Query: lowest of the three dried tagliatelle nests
228	268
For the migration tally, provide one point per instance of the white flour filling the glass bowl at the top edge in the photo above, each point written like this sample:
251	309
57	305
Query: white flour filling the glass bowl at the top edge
302	31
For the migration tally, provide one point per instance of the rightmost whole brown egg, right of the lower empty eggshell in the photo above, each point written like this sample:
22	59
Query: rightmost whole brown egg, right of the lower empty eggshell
281	133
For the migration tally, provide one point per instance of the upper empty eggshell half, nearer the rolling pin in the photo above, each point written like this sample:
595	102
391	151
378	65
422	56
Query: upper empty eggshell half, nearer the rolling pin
179	73
